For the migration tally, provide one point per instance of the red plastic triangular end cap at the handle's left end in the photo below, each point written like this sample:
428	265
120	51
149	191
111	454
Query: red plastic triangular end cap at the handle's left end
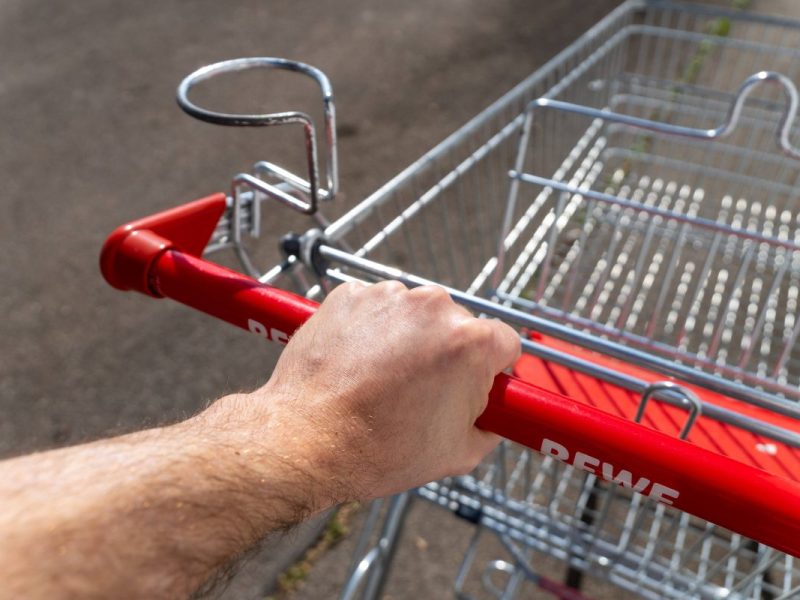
131	249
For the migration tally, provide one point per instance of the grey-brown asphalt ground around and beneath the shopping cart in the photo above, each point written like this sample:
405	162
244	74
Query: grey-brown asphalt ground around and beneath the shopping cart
92	138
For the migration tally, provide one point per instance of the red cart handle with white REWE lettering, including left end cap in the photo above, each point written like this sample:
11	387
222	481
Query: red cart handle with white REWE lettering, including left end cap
161	256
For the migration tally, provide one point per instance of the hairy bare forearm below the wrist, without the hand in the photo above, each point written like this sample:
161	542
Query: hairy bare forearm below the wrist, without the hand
151	514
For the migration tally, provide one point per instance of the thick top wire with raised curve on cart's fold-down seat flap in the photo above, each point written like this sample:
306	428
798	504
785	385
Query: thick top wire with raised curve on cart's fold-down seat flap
730	123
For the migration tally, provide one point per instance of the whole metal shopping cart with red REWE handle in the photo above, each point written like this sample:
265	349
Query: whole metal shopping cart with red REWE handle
632	207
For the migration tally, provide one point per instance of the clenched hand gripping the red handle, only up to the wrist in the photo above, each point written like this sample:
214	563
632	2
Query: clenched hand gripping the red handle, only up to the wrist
380	390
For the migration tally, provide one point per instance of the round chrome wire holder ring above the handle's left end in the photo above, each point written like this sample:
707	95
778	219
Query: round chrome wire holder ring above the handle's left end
292	189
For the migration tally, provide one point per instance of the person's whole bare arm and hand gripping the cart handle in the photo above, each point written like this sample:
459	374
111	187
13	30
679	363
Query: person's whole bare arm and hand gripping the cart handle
378	392
